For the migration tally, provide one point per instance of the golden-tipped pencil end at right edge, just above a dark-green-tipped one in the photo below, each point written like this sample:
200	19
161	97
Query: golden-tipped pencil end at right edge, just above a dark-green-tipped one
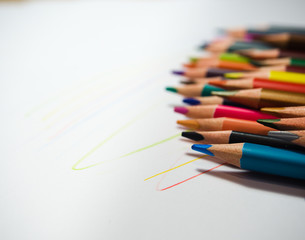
286	112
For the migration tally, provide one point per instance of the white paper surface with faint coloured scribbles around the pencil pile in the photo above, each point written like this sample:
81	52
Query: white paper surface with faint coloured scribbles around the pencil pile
83	82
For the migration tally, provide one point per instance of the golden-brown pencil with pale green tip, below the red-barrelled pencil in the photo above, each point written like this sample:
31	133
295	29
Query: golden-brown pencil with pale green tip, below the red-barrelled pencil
259	97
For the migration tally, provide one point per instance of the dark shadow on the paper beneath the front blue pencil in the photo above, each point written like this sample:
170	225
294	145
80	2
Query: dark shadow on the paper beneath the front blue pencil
263	182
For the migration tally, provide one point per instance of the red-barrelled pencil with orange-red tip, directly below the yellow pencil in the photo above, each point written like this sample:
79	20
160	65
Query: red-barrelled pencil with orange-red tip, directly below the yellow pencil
259	83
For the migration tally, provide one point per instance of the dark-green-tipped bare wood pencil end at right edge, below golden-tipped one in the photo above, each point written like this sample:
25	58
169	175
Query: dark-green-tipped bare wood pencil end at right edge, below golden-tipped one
284	123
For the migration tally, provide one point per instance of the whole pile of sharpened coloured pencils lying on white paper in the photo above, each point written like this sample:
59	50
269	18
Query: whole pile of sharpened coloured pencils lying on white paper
246	99
